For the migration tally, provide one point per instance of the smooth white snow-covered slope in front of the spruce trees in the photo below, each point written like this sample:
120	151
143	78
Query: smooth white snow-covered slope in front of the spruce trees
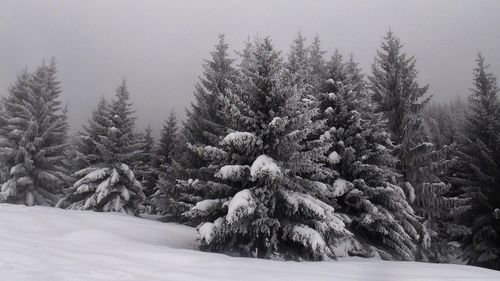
40	243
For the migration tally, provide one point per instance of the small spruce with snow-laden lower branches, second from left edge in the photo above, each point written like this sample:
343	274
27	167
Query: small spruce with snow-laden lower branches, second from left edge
109	183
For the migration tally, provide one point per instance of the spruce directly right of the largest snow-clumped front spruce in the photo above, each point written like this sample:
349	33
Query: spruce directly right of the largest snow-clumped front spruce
365	183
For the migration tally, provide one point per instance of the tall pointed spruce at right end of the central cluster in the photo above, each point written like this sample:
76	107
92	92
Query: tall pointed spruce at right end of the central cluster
401	99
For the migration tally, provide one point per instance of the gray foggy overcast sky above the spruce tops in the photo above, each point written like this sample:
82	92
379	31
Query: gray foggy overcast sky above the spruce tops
159	45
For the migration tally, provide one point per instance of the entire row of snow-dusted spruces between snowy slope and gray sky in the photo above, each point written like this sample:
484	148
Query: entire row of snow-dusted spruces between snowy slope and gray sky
291	157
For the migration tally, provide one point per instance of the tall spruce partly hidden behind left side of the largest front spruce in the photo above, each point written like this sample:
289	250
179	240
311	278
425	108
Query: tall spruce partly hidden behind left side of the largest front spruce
204	127
